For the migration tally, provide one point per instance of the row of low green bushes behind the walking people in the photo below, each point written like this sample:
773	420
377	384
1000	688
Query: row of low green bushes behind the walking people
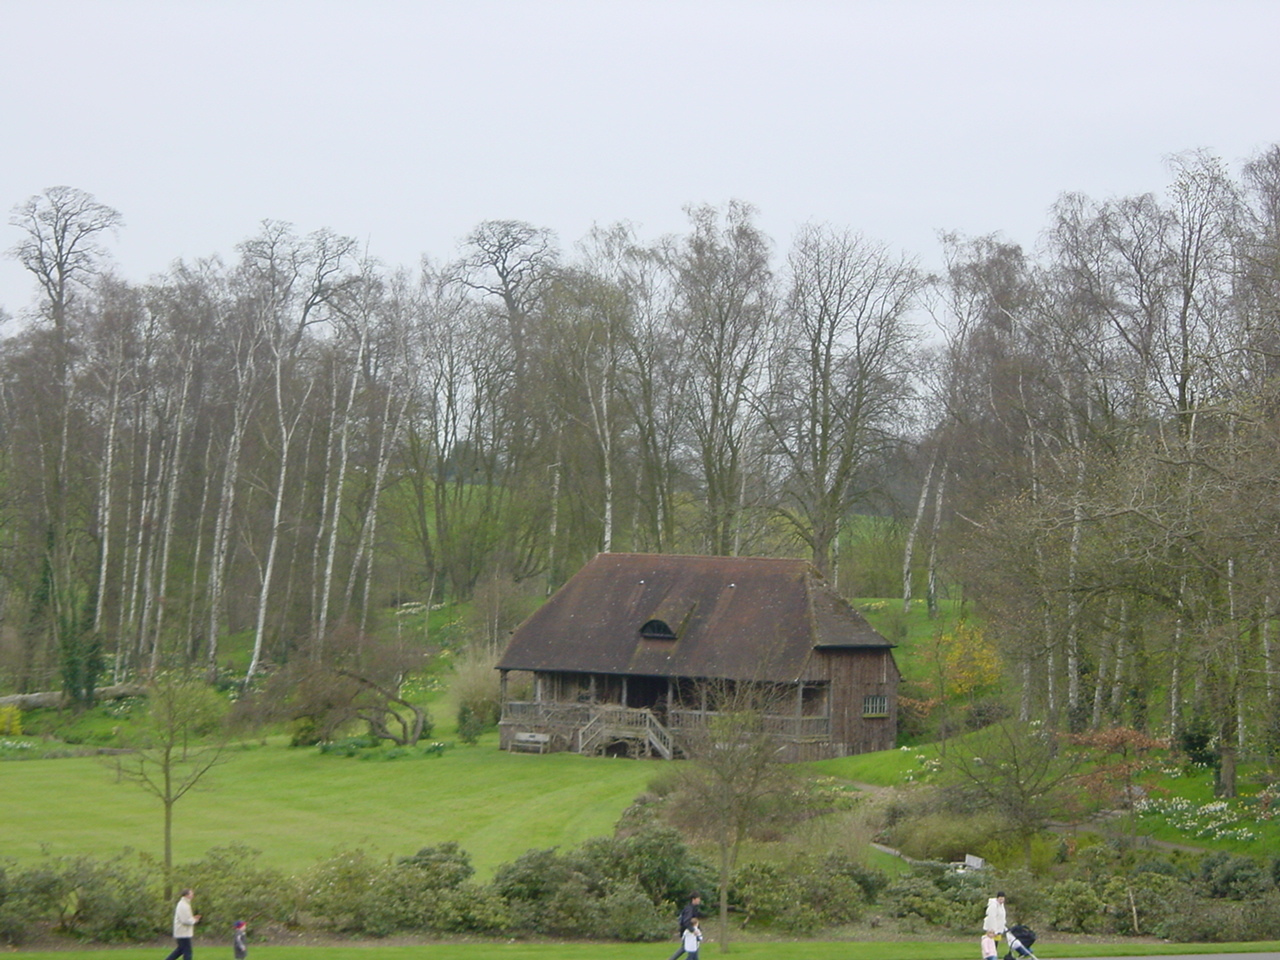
629	889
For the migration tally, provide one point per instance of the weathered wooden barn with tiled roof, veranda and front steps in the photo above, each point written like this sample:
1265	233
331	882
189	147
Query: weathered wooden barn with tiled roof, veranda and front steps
624	655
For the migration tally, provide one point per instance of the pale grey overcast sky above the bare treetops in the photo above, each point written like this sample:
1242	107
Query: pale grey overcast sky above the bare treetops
405	125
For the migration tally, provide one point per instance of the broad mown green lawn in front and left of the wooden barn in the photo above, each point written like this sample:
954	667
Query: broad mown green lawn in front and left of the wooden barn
298	806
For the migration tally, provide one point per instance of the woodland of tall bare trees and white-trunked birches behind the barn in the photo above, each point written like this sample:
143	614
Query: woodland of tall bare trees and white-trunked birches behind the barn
1080	440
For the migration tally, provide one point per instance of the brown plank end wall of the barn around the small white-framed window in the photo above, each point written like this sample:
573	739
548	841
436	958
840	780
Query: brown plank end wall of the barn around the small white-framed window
856	675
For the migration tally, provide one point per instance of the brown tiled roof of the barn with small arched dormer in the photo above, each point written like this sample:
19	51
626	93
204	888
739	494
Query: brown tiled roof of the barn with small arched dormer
735	618
